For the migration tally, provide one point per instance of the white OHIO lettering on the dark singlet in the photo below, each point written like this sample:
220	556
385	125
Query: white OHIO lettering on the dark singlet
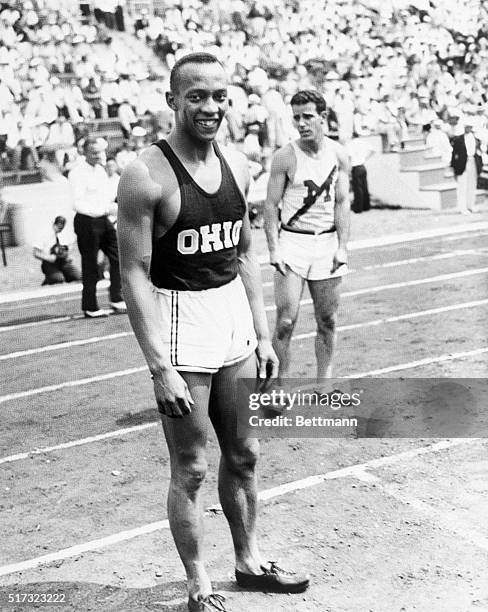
209	238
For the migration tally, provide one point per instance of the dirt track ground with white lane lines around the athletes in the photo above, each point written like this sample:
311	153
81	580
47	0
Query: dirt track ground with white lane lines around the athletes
382	525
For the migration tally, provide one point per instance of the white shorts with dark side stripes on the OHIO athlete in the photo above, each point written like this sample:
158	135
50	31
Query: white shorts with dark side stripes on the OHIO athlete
207	330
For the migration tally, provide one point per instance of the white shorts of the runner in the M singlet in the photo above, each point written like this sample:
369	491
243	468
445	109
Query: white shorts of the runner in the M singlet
310	255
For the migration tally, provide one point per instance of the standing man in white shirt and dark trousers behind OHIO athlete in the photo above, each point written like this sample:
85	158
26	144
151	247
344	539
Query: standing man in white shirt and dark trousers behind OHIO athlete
93	202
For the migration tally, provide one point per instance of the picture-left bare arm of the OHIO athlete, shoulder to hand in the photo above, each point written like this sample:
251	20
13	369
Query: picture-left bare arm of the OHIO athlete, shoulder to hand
137	196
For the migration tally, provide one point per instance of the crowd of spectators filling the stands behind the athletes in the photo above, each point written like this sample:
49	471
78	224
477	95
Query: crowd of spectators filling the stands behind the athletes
383	68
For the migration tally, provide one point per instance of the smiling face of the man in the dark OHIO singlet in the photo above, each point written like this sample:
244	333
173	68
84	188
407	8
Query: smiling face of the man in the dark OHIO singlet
200	100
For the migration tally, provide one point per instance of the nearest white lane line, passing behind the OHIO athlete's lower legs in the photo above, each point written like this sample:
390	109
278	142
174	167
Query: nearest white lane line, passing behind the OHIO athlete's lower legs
284	489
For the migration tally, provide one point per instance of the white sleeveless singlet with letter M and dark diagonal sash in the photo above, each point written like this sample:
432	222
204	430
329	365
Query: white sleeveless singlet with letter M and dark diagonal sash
312	187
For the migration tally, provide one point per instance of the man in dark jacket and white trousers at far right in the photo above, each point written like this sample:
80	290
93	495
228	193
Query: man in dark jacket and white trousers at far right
467	163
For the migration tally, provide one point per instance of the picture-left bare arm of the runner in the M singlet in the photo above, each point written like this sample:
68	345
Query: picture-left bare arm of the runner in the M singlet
276	188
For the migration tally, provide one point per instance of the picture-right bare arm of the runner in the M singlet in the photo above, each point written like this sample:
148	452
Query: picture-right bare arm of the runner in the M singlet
342	209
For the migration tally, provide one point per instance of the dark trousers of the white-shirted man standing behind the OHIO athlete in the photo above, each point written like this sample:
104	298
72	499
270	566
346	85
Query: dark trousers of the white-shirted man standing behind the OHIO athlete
94	234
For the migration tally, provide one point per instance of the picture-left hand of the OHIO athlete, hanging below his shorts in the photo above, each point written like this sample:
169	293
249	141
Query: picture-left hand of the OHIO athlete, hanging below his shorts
172	394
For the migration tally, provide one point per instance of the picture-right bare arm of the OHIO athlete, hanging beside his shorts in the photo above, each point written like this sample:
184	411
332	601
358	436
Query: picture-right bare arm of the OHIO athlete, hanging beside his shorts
250	273
